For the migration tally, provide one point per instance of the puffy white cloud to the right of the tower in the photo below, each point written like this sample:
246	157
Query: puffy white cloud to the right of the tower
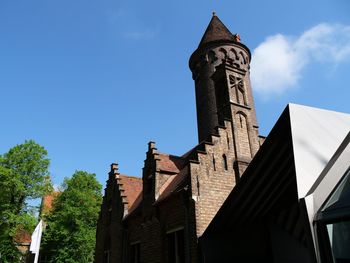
278	62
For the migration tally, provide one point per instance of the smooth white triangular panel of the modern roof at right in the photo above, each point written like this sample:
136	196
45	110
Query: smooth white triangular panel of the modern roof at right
316	135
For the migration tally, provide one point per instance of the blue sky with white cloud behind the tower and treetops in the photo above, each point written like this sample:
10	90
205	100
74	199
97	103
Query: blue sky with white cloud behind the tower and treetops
94	81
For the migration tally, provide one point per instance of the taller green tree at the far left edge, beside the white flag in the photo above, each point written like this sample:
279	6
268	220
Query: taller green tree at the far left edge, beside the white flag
23	176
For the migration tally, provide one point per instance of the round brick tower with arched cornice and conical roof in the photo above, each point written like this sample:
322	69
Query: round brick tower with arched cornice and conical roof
220	68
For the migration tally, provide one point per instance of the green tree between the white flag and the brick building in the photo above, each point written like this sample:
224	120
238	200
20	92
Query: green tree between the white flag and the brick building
71	225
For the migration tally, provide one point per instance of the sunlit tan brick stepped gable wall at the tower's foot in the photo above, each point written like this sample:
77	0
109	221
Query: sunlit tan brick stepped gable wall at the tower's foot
211	178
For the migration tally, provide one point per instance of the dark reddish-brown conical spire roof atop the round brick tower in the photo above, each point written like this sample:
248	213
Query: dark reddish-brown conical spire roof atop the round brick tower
216	31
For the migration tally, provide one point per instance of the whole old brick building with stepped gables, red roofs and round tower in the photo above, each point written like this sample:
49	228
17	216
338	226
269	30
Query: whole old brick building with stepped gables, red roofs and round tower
160	217
